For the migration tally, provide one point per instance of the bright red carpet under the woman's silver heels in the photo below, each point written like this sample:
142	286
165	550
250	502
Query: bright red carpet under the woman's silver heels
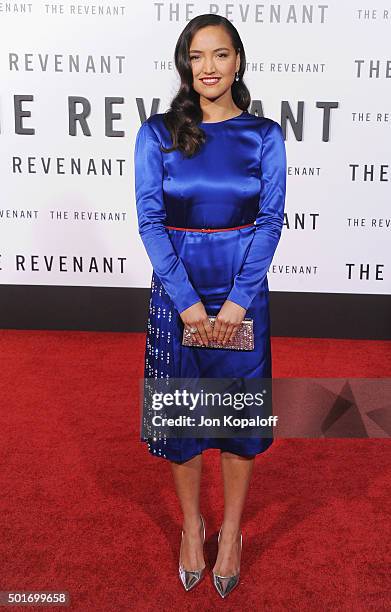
86	509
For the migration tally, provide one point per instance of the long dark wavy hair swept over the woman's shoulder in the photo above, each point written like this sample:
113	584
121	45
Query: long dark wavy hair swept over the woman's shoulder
185	113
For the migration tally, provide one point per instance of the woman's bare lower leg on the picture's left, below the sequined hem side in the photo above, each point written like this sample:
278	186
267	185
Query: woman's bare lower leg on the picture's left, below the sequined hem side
187	479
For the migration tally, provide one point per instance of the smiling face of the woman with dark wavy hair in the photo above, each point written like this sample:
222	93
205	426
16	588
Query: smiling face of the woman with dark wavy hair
212	55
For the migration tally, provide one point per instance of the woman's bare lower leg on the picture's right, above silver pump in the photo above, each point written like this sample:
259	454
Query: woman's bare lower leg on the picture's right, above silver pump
236	472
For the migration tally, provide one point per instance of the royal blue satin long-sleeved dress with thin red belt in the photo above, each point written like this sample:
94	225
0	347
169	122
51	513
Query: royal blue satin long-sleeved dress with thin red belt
237	177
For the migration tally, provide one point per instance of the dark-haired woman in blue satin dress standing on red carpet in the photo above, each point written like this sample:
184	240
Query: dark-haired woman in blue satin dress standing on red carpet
208	163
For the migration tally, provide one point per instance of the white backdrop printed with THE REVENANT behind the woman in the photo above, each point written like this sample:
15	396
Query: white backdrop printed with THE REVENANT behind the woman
77	78
